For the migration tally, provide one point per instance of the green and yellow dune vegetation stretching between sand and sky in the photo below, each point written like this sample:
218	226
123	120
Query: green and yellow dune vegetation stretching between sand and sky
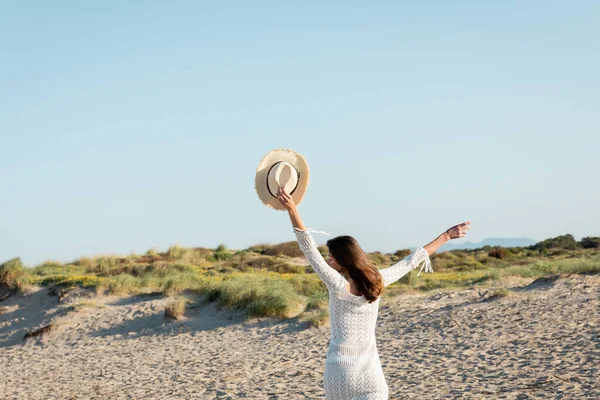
274	280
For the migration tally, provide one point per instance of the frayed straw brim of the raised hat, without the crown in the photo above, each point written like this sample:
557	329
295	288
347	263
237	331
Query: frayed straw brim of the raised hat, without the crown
273	157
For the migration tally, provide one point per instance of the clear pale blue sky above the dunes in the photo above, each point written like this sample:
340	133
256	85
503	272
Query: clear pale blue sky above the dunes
131	125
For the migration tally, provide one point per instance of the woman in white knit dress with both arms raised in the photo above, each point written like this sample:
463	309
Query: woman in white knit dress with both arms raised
352	368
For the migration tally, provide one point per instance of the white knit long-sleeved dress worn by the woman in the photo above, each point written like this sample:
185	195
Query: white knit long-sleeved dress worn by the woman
352	367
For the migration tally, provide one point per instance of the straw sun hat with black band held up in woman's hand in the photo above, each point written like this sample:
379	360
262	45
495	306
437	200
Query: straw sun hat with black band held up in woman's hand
281	168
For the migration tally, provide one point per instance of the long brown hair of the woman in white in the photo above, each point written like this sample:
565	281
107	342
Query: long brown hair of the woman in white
349	255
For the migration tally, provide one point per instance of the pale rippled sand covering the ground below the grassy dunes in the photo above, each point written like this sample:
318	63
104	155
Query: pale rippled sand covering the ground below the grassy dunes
538	339
